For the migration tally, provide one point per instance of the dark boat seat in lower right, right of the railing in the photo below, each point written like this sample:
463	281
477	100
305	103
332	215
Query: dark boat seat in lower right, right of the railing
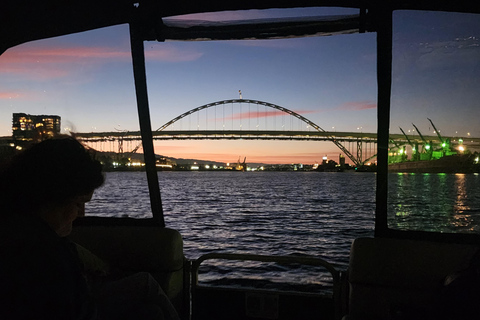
387	275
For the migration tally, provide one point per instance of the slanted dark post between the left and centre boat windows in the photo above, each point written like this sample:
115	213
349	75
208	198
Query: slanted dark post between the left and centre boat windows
138	58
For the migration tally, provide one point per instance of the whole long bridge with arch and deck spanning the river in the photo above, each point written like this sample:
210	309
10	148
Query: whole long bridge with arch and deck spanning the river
243	119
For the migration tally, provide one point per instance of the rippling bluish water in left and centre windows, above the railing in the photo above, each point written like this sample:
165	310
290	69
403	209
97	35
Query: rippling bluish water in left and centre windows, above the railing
276	213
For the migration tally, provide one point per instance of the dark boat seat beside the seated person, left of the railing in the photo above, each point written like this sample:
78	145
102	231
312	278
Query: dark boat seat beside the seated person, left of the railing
130	249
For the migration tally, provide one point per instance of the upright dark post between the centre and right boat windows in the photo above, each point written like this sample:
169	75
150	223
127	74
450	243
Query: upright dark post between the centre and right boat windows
384	83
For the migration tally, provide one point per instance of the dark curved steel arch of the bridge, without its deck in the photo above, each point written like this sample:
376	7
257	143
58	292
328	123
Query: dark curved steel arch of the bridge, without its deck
267	104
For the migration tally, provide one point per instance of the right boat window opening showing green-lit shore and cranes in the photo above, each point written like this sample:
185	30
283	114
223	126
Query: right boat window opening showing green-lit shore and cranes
434	132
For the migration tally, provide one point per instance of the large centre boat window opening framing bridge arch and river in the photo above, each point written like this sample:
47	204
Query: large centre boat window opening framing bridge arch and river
237	116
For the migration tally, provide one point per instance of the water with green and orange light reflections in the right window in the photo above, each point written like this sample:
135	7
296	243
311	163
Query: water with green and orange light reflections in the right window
434	202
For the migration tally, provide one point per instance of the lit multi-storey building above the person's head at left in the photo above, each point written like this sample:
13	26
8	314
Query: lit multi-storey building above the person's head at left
31	128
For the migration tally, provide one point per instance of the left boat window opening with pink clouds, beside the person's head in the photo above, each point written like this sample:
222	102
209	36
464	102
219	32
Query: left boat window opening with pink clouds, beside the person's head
86	80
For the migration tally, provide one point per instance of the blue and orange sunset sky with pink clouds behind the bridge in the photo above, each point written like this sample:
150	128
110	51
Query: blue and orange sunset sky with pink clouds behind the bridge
87	80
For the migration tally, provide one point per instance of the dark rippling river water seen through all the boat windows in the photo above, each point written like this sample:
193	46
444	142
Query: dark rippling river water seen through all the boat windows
288	213
